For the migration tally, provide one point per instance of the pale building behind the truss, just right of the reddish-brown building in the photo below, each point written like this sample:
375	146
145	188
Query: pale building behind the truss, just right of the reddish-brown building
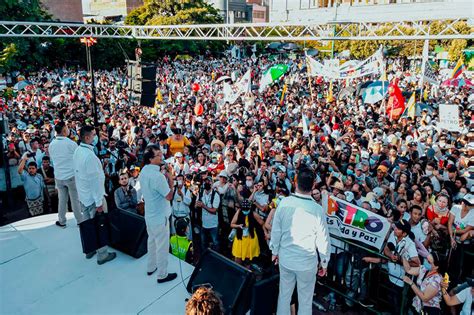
115	10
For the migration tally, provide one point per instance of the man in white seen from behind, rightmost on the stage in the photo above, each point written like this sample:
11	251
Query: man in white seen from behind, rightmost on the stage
299	232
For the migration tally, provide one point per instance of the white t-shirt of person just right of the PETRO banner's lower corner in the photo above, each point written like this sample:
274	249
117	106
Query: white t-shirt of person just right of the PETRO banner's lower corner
407	249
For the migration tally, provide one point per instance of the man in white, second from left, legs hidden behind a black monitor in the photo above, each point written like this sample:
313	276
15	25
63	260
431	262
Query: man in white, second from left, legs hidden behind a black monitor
90	183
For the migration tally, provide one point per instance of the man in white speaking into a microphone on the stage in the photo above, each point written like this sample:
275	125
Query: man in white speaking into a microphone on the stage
157	191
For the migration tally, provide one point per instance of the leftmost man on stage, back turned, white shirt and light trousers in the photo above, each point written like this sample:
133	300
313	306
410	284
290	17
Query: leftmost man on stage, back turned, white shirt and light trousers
61	151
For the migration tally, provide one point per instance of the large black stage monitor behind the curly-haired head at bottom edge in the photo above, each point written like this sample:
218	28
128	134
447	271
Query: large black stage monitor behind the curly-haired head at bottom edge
231	281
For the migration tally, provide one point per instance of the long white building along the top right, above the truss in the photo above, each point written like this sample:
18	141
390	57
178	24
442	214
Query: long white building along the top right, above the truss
368	11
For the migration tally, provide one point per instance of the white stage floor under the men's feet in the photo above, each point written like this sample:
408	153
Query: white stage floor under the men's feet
43	271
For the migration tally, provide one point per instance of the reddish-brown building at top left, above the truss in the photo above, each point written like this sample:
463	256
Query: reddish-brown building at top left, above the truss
64	10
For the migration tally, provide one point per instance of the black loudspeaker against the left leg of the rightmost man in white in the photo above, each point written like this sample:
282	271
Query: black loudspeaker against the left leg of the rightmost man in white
265	296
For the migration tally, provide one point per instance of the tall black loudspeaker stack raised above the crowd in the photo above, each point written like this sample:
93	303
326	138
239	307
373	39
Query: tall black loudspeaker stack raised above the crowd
142	83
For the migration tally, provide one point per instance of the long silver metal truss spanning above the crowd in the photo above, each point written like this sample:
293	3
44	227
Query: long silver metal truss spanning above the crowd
404	30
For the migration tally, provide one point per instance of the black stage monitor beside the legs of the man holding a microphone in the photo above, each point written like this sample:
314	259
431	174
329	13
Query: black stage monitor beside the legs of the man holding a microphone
128	233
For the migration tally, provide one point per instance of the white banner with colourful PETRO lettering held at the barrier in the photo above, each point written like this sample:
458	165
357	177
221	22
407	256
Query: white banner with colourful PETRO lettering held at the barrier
355	223
